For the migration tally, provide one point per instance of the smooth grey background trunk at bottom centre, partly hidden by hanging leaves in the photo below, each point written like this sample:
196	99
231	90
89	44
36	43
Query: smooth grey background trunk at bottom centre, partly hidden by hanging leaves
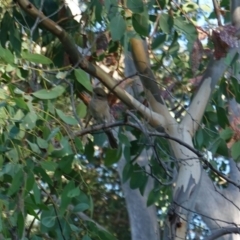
143	219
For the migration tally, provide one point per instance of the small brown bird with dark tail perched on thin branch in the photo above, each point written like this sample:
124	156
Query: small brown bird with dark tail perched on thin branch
99	109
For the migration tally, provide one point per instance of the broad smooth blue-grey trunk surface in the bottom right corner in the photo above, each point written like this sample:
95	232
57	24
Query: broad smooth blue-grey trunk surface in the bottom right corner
219	208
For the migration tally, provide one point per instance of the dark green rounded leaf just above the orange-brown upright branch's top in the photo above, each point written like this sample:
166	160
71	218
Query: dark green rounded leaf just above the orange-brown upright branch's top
140	23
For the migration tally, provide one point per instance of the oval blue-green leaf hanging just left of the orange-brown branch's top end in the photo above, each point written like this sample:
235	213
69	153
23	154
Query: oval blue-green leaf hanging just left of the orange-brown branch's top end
117	27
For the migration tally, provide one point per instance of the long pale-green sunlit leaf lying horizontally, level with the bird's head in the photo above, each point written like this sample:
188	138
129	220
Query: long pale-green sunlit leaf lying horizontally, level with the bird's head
49	94
